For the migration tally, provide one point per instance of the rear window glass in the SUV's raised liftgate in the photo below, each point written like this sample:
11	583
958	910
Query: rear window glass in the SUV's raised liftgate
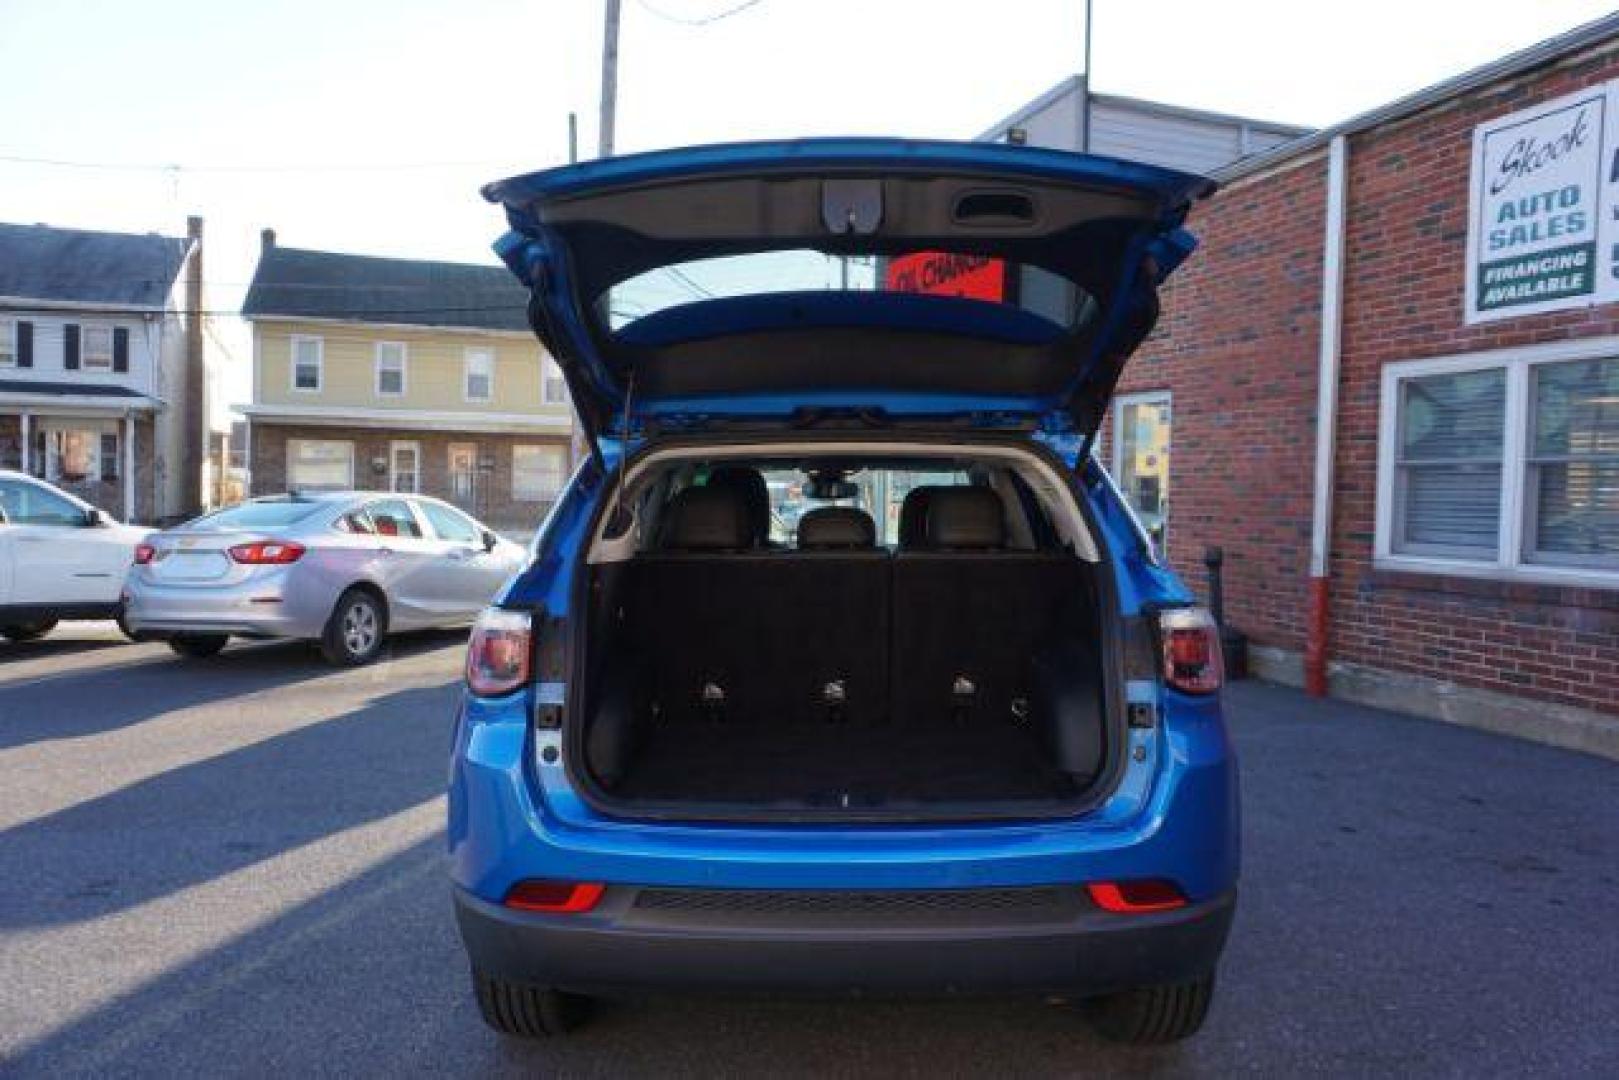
796	271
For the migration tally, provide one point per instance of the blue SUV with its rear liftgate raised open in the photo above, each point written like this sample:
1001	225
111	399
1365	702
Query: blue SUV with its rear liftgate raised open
841	666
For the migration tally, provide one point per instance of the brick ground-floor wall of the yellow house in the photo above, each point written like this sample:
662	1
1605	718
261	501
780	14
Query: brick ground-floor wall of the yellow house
493	503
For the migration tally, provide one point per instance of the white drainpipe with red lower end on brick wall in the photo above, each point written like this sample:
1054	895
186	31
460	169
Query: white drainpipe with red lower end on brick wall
1327	415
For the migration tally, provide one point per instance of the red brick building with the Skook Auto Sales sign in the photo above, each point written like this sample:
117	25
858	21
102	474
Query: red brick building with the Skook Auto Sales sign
1416	485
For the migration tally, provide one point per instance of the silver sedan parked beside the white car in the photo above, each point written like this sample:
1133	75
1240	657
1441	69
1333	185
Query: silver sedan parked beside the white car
342	569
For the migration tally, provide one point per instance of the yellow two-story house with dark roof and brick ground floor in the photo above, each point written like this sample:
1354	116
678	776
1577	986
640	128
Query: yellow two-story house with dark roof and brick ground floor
401	375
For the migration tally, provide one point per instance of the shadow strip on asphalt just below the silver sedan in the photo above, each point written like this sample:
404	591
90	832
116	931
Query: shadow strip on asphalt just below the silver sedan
90	702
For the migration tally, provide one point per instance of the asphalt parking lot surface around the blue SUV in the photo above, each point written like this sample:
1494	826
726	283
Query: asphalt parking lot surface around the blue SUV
236	867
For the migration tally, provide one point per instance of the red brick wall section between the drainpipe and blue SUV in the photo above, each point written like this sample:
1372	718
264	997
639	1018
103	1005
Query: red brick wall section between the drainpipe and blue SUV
1236	347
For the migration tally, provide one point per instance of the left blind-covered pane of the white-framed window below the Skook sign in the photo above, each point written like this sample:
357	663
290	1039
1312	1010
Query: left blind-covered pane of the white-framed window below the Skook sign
1448	472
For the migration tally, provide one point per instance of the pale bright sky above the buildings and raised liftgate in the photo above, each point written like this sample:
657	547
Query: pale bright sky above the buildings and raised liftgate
368	125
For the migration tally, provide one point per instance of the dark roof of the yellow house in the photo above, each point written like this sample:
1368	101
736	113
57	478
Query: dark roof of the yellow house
294	283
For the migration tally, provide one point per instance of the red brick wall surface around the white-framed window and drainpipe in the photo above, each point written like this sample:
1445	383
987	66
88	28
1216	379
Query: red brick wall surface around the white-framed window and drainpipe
1238	349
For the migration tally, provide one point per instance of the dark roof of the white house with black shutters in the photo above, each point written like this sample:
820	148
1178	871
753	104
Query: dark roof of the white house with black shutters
79	266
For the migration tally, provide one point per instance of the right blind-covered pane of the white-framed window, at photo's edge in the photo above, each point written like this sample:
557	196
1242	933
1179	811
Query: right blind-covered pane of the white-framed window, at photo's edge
1573	482
